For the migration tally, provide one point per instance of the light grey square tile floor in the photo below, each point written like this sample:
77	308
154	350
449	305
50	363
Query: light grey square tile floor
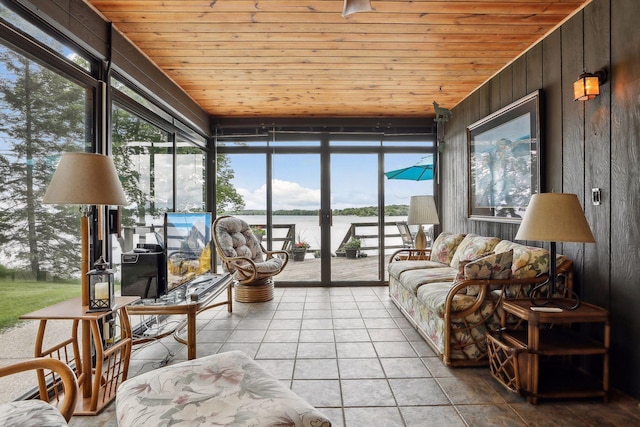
351	353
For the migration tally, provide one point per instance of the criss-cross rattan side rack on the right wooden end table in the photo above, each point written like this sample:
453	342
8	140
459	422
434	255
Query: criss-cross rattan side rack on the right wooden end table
508	363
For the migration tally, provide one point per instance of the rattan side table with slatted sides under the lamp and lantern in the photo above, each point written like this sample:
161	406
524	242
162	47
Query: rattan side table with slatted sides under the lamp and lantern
98	383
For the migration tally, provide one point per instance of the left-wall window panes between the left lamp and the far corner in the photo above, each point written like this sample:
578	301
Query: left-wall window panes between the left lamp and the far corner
161	171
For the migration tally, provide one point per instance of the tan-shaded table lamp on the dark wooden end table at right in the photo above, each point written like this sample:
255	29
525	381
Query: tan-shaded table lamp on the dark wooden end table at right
555	217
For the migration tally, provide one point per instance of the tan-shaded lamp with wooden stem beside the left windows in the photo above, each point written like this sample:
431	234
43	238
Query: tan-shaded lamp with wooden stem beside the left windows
85	179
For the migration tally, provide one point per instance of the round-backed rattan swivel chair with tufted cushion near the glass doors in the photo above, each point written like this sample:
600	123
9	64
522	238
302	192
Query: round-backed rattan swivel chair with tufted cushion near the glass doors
242	255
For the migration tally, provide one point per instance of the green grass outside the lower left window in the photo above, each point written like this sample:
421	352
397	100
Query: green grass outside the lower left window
18	298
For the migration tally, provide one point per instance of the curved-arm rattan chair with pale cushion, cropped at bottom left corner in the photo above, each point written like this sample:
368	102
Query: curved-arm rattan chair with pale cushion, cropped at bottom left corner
38	412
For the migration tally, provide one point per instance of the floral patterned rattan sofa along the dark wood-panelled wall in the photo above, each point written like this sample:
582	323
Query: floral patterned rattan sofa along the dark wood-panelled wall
451	293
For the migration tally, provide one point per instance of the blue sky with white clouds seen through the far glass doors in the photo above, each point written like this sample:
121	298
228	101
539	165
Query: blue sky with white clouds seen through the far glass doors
296	183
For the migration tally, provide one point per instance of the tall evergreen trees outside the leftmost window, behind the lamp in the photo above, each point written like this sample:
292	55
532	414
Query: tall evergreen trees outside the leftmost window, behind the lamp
42	115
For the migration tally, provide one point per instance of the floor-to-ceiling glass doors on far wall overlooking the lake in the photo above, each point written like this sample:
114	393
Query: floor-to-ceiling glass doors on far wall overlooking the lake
322	198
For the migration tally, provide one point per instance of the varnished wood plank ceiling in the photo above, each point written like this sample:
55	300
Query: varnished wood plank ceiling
302	58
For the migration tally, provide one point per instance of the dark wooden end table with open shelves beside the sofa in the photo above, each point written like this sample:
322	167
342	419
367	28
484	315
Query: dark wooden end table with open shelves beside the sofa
547	336
